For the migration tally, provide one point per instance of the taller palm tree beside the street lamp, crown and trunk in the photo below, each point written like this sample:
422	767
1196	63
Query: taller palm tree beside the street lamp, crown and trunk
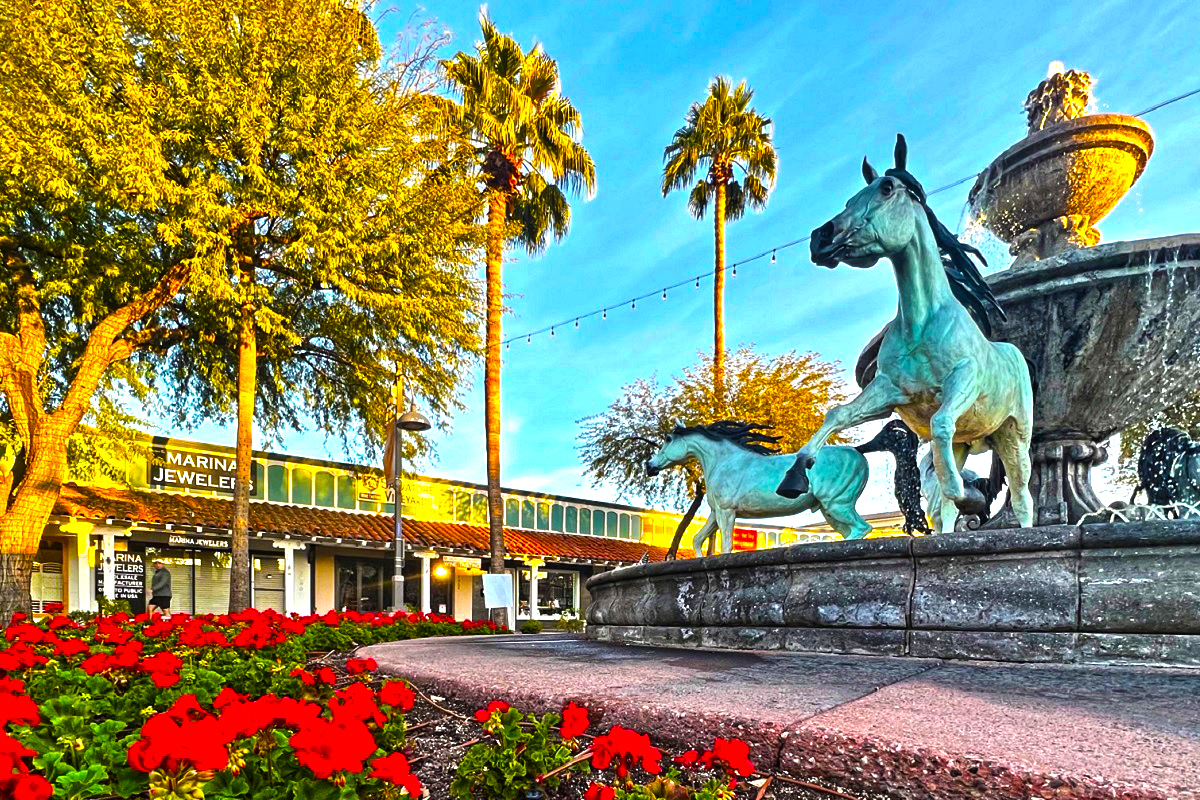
527	136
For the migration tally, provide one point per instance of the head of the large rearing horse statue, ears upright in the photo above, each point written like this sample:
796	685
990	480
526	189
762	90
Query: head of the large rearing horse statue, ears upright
879	221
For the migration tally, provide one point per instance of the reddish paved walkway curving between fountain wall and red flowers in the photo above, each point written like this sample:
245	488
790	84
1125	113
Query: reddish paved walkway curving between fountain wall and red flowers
916	729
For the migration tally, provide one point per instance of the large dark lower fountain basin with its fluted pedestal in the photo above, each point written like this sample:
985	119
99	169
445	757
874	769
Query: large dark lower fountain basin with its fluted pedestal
1113	333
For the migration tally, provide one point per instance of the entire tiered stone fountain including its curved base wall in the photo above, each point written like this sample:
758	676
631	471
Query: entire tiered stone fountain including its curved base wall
1113	333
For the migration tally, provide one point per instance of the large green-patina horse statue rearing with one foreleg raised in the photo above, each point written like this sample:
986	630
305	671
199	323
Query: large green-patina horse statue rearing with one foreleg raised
937	368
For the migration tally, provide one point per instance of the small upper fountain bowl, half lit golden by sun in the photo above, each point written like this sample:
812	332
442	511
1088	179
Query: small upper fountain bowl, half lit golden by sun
1047	193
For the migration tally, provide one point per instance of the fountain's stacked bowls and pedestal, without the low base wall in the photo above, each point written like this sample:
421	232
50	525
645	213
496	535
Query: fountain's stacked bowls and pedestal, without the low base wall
1113	330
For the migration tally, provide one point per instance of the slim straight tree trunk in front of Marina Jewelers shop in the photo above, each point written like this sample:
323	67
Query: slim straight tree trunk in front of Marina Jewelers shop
248	360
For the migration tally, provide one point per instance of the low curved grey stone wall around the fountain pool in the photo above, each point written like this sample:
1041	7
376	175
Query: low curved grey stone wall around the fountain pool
1124	593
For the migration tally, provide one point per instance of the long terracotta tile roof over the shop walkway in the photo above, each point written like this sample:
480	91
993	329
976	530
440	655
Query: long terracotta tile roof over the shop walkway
274	519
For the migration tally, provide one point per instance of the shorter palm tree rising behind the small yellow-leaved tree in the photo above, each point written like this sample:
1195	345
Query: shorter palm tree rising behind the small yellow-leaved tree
722	134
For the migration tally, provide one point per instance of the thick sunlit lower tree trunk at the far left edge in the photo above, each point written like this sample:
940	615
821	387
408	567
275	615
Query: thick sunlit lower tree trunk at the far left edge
23	524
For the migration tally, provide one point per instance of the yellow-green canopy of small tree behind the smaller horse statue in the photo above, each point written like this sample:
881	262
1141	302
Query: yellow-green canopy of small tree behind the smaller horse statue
789	394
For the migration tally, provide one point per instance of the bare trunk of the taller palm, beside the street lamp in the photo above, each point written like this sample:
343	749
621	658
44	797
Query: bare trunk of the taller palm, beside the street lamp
496	215
